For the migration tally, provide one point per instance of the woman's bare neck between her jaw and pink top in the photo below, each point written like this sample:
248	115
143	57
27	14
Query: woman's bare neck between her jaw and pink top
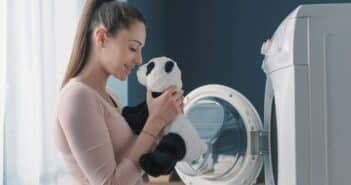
94	75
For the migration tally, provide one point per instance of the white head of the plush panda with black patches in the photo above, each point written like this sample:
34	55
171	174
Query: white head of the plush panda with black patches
160	73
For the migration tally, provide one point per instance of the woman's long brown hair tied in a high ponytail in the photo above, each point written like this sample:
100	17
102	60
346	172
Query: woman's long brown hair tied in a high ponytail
111	14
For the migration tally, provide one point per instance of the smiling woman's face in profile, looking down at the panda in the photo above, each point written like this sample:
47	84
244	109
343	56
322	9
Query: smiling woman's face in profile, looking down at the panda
123	51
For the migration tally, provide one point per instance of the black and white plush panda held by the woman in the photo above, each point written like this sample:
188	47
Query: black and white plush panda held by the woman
180	141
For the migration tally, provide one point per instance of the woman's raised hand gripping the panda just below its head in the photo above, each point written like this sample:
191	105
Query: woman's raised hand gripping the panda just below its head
166	107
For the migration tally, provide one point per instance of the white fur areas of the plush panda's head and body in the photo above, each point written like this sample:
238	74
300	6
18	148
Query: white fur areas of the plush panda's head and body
158	80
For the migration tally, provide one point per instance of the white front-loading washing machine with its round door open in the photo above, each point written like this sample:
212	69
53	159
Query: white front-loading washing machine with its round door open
305	137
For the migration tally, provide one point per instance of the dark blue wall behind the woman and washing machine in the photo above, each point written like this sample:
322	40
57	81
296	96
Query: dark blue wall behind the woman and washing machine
213	41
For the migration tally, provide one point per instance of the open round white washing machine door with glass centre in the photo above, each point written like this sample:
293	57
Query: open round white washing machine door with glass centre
233	131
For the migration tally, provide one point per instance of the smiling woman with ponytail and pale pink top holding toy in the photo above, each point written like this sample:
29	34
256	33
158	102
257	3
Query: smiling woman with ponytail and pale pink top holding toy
96	143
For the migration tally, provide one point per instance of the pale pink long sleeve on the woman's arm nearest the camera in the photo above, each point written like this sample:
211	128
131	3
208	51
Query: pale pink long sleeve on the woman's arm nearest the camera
81	117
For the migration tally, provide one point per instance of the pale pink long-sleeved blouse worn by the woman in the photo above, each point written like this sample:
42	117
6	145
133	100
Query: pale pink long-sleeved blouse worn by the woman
94	138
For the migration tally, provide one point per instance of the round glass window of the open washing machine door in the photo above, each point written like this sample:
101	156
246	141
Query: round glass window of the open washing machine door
222	128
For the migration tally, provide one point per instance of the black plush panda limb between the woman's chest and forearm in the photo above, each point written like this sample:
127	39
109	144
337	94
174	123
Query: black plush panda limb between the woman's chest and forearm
136	116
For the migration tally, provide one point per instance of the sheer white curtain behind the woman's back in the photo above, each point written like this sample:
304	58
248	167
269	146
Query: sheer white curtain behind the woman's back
36	39
